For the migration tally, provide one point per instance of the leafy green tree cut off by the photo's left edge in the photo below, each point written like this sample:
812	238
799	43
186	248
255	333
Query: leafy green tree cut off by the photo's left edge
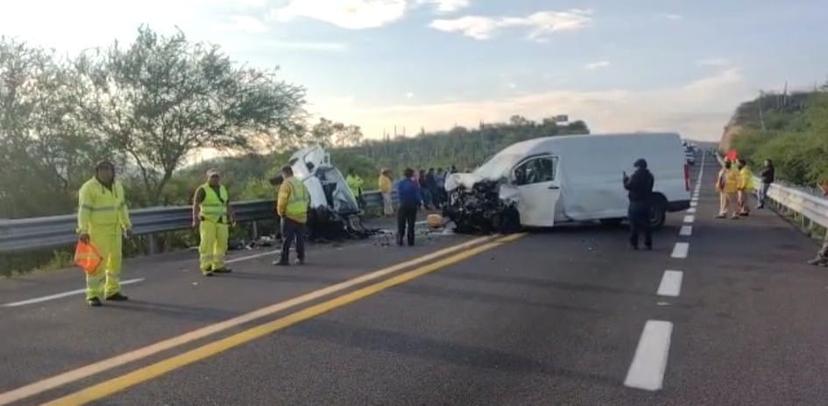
46	150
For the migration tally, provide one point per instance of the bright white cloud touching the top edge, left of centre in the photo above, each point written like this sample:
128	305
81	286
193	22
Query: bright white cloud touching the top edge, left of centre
349	14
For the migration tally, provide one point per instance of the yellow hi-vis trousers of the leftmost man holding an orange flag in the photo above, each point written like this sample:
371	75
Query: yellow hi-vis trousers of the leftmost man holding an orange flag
108	241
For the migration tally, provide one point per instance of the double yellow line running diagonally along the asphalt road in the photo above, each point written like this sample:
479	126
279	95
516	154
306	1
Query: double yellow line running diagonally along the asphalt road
157	369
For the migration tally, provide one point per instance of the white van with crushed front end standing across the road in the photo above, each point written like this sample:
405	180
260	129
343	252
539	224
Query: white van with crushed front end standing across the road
547	181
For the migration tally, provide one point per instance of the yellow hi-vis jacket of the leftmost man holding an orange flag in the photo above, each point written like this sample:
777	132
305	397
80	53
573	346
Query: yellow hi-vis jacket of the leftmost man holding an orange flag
100	208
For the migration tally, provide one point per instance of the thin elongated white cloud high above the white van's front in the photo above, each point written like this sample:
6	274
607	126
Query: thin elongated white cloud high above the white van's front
540	24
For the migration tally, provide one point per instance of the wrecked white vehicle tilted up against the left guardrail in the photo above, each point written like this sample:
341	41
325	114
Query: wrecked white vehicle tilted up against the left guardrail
334	212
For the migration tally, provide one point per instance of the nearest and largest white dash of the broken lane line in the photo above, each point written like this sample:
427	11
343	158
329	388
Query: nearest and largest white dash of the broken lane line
650	361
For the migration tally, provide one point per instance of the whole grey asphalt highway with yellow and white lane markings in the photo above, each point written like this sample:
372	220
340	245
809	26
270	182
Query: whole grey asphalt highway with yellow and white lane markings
550	317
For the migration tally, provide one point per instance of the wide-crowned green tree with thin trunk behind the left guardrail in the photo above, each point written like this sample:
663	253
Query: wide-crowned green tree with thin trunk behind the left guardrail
163	97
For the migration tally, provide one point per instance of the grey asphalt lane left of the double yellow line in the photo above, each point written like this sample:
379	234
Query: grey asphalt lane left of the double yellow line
61	335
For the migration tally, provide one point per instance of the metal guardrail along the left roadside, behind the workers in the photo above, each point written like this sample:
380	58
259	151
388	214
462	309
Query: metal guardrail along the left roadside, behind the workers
59	231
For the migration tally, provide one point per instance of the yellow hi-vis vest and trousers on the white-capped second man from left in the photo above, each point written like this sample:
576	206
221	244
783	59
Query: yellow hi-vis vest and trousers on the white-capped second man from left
213	228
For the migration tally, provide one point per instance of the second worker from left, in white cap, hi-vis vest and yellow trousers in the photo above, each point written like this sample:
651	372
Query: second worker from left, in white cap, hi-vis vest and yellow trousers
213	216
